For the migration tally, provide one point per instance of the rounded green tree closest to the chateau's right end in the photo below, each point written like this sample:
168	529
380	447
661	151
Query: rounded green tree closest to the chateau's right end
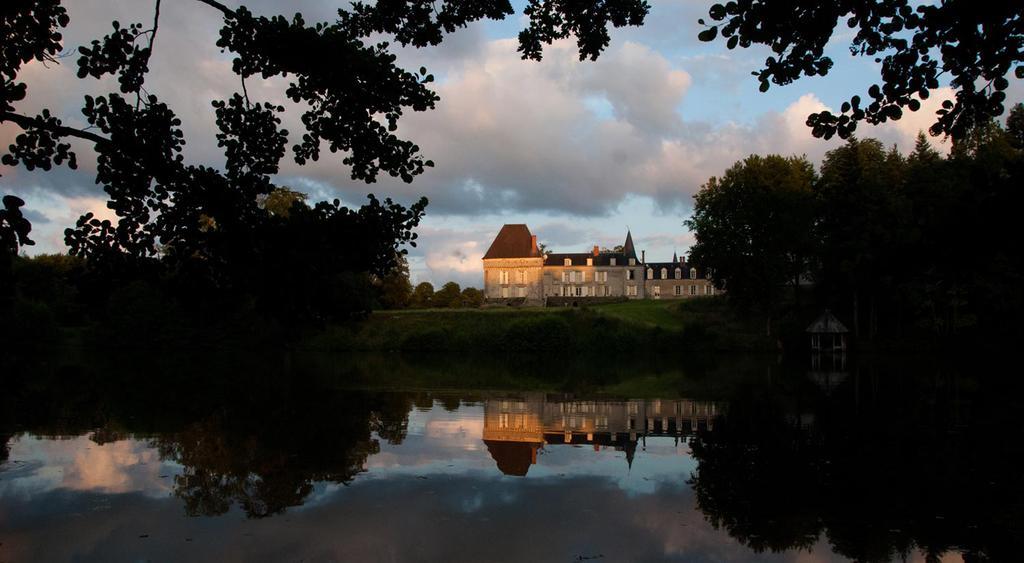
753	227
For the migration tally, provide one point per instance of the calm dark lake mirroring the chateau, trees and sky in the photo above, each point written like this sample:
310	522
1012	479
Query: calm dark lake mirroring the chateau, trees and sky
314	458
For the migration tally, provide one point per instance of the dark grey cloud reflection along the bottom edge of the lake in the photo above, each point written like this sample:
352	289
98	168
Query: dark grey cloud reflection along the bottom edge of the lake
479	517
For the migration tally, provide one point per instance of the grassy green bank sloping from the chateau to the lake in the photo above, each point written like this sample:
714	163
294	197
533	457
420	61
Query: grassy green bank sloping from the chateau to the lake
615	328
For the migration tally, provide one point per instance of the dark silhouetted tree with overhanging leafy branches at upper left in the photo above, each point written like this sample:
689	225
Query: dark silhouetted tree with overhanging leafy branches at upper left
222	231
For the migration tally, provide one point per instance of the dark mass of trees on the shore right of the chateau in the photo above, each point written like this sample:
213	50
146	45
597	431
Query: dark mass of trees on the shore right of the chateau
924	244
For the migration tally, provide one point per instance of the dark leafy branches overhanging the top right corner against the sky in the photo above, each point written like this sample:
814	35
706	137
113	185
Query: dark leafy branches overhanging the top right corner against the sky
977	45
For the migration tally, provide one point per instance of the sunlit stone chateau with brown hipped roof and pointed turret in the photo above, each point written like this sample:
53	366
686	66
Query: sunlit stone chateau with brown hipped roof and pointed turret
517	272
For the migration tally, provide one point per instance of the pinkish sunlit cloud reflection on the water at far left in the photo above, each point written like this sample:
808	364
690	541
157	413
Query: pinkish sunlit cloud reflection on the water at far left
79	464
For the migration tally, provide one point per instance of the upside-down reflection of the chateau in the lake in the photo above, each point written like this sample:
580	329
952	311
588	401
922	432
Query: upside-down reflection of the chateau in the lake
516	429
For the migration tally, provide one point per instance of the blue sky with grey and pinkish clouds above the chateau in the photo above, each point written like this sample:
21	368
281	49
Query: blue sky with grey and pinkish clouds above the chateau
578	151
